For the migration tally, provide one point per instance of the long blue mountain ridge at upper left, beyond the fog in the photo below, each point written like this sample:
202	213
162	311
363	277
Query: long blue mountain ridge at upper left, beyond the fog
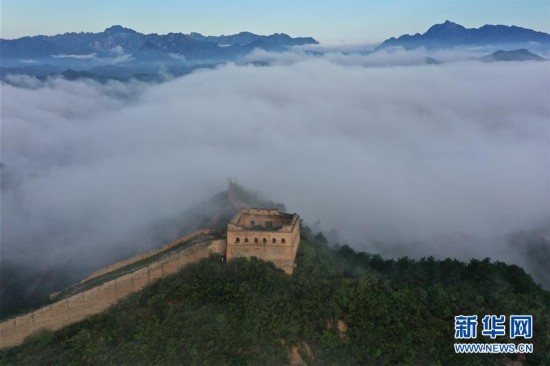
117	39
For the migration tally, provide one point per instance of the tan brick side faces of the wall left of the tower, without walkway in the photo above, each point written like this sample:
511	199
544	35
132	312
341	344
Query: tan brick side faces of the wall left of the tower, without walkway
82	305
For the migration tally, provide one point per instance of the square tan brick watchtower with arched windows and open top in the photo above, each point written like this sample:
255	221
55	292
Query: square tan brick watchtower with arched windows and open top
264	233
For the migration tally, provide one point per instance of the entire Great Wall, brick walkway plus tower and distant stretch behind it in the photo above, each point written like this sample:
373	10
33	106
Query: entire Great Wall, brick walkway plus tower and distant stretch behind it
264	233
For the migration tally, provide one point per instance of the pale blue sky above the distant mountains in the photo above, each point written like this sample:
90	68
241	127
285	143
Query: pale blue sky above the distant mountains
329	21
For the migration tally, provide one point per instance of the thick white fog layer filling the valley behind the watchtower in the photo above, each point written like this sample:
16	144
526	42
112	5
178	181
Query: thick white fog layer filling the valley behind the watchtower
415	156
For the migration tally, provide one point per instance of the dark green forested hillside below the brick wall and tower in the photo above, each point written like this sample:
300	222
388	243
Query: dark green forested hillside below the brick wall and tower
339	307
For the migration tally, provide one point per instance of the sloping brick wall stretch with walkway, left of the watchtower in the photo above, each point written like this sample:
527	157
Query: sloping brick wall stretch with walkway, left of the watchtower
97	293
